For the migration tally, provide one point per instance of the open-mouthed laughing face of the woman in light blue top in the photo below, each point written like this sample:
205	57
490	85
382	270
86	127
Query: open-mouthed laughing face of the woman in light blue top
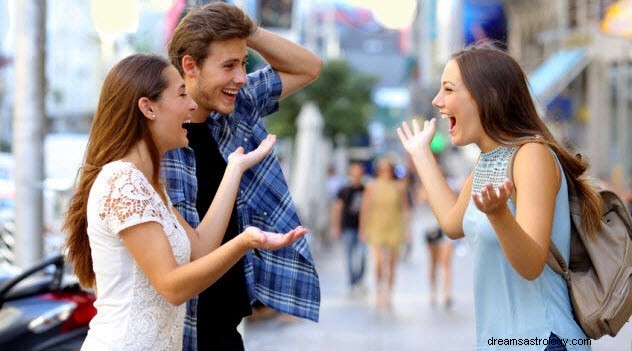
455	102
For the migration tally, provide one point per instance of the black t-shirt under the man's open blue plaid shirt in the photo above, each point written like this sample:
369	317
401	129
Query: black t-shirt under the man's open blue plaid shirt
228	297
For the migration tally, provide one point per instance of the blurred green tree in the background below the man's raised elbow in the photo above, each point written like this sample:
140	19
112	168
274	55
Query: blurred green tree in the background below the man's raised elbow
343	96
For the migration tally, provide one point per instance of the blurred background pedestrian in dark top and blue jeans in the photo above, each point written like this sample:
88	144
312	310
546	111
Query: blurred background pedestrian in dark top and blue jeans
345	214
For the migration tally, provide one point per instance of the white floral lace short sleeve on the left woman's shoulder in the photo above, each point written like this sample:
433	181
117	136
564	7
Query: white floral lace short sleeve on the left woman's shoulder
128	200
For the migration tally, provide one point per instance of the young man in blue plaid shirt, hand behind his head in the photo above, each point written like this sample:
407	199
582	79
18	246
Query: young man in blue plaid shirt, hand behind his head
209	48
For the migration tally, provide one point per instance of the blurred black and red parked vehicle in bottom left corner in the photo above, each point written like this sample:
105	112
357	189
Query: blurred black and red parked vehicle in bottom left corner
43	309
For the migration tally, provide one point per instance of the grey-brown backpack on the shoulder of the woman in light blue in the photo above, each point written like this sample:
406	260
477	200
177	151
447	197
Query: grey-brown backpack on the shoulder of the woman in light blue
599	272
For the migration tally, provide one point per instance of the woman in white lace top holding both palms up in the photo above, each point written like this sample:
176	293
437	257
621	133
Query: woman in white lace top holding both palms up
125	239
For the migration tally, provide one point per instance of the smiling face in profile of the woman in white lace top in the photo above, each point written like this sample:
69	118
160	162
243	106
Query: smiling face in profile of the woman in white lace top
170	111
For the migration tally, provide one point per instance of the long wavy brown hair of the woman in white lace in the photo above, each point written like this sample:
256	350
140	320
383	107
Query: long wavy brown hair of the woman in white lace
117	127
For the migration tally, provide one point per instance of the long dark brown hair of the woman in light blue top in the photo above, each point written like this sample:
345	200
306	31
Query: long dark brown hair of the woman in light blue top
508	115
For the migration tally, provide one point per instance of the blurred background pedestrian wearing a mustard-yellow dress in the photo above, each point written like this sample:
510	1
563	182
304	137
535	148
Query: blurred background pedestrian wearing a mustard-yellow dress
383	224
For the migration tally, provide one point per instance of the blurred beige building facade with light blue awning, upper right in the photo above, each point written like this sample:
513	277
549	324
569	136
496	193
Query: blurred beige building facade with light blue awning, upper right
590	96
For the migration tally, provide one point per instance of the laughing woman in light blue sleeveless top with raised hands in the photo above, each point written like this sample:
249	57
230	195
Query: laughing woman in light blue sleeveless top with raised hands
521	304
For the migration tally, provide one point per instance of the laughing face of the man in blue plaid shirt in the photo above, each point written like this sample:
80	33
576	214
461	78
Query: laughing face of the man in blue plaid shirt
215	83
